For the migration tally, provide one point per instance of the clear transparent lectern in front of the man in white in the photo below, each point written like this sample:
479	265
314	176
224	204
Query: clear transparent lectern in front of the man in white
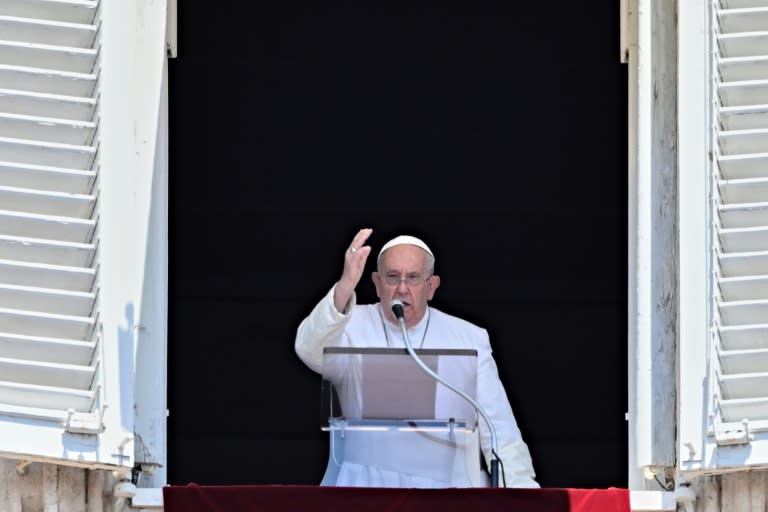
386	414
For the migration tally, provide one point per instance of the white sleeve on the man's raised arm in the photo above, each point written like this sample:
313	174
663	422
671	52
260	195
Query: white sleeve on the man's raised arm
323	327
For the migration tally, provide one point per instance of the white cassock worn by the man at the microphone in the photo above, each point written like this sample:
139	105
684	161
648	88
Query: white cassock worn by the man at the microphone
364	326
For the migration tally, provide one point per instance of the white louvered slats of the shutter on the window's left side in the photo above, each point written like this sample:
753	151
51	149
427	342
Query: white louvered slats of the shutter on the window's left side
51	376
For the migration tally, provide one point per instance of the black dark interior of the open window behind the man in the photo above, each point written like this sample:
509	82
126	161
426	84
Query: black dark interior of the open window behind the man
497	134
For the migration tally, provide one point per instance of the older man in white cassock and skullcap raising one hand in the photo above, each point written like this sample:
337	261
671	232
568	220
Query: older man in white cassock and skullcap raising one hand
405	271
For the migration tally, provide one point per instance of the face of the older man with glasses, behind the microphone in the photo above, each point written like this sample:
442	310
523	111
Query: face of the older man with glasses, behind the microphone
403	275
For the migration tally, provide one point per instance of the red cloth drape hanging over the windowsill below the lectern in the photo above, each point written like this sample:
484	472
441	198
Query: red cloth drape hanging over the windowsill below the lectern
267	498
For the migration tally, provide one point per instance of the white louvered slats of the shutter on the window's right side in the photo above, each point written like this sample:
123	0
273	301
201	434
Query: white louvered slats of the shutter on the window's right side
737	432
